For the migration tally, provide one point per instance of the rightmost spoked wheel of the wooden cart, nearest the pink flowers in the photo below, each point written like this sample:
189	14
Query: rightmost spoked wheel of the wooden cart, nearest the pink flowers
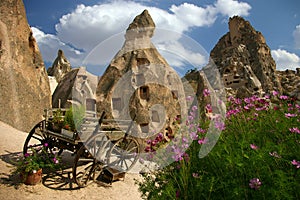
124	154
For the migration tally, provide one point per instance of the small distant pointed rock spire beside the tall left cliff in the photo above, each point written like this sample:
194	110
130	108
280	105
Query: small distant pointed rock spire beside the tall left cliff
60	66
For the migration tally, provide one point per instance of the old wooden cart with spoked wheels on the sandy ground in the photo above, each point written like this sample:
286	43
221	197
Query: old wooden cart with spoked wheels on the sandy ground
99	145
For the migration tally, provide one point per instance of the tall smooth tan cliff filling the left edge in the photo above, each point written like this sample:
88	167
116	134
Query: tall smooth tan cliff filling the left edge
24	85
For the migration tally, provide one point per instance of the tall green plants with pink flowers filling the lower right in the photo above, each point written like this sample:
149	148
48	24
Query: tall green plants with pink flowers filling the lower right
256	157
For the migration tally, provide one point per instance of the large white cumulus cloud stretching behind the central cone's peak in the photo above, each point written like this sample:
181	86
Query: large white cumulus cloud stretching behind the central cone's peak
81	30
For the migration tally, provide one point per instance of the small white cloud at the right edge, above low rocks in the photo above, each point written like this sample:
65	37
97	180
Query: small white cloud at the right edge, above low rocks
285	60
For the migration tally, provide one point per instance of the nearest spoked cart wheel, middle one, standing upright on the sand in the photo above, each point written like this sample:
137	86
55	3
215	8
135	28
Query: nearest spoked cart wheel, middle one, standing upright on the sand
89	162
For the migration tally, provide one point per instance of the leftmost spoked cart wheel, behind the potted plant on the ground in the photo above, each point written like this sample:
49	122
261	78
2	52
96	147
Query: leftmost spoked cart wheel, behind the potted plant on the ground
38	137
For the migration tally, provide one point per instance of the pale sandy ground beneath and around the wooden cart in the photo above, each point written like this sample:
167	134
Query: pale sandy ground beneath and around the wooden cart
11	144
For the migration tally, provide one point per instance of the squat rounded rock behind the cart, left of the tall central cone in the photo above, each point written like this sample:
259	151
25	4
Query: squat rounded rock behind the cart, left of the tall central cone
77	87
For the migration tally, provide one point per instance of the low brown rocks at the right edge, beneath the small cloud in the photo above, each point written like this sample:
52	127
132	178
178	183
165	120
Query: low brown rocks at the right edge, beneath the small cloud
290	81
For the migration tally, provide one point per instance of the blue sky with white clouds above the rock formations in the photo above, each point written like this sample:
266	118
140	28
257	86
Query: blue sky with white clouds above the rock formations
91	32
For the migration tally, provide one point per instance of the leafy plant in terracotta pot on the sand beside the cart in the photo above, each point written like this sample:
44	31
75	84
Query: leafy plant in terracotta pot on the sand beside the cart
30	165
